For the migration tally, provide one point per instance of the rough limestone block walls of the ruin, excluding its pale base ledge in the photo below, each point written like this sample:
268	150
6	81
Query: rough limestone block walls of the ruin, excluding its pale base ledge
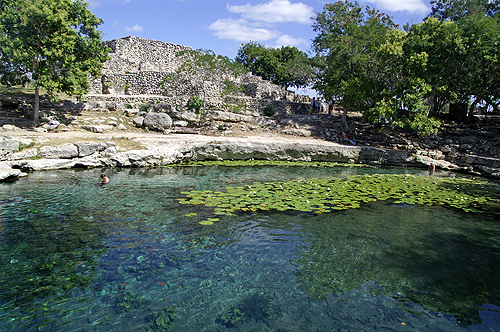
138	66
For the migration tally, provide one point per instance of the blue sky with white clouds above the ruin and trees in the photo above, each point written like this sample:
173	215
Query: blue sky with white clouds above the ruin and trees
223	25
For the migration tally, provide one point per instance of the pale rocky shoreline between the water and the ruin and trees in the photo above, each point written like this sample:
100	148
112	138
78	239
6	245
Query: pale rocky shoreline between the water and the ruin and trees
117	138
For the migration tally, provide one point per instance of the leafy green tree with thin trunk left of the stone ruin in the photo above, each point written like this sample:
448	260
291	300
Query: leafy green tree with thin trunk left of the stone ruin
54	43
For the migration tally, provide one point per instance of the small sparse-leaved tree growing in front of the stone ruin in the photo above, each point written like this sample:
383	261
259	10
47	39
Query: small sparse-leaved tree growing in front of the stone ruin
200	67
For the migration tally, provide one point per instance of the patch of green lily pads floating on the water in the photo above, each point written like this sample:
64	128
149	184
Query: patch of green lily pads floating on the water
330	194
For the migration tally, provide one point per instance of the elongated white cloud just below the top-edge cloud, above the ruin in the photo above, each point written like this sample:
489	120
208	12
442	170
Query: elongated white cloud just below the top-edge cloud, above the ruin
241	30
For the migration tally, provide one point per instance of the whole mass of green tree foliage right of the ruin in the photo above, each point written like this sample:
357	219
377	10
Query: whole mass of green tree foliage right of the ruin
371	66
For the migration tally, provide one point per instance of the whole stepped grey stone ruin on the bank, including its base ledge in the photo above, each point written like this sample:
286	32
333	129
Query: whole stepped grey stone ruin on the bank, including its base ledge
138	66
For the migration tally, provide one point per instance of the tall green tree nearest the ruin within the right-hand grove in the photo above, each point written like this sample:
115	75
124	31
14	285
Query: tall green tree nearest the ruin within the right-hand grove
347	53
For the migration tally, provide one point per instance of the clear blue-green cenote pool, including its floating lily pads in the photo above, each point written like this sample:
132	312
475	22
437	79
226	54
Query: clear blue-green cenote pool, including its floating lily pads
249	248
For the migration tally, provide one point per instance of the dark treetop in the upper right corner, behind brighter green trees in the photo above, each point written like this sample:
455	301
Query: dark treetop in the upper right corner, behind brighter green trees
456	9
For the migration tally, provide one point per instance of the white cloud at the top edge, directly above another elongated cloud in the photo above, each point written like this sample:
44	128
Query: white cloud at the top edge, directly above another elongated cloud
275	11
